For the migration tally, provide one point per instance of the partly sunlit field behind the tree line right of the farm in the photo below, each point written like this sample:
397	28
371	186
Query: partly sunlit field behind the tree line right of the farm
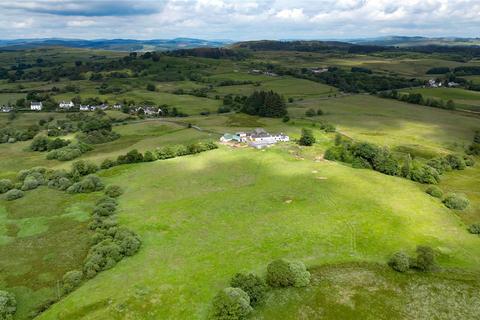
393	123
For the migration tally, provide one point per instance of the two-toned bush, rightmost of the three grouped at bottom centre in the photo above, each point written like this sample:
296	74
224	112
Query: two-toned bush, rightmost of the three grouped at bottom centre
283	273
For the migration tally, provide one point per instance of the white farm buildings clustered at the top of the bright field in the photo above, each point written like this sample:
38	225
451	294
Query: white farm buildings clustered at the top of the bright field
258	138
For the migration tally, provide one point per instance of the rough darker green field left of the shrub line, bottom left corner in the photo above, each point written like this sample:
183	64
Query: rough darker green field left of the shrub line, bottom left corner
42	236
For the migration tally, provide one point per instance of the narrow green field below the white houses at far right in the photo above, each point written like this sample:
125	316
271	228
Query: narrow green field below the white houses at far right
465	99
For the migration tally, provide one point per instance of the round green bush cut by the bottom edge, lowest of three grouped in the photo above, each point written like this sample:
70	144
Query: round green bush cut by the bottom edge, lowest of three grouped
231	304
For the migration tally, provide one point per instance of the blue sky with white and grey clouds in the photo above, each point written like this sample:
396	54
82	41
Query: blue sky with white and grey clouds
237	20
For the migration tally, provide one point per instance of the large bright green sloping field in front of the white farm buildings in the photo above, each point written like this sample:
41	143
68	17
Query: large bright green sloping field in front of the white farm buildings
203	218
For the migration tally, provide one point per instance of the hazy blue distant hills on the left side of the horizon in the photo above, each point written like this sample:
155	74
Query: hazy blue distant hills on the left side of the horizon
114	44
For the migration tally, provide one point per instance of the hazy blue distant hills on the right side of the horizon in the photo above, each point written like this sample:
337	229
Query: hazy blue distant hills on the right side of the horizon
401	41
